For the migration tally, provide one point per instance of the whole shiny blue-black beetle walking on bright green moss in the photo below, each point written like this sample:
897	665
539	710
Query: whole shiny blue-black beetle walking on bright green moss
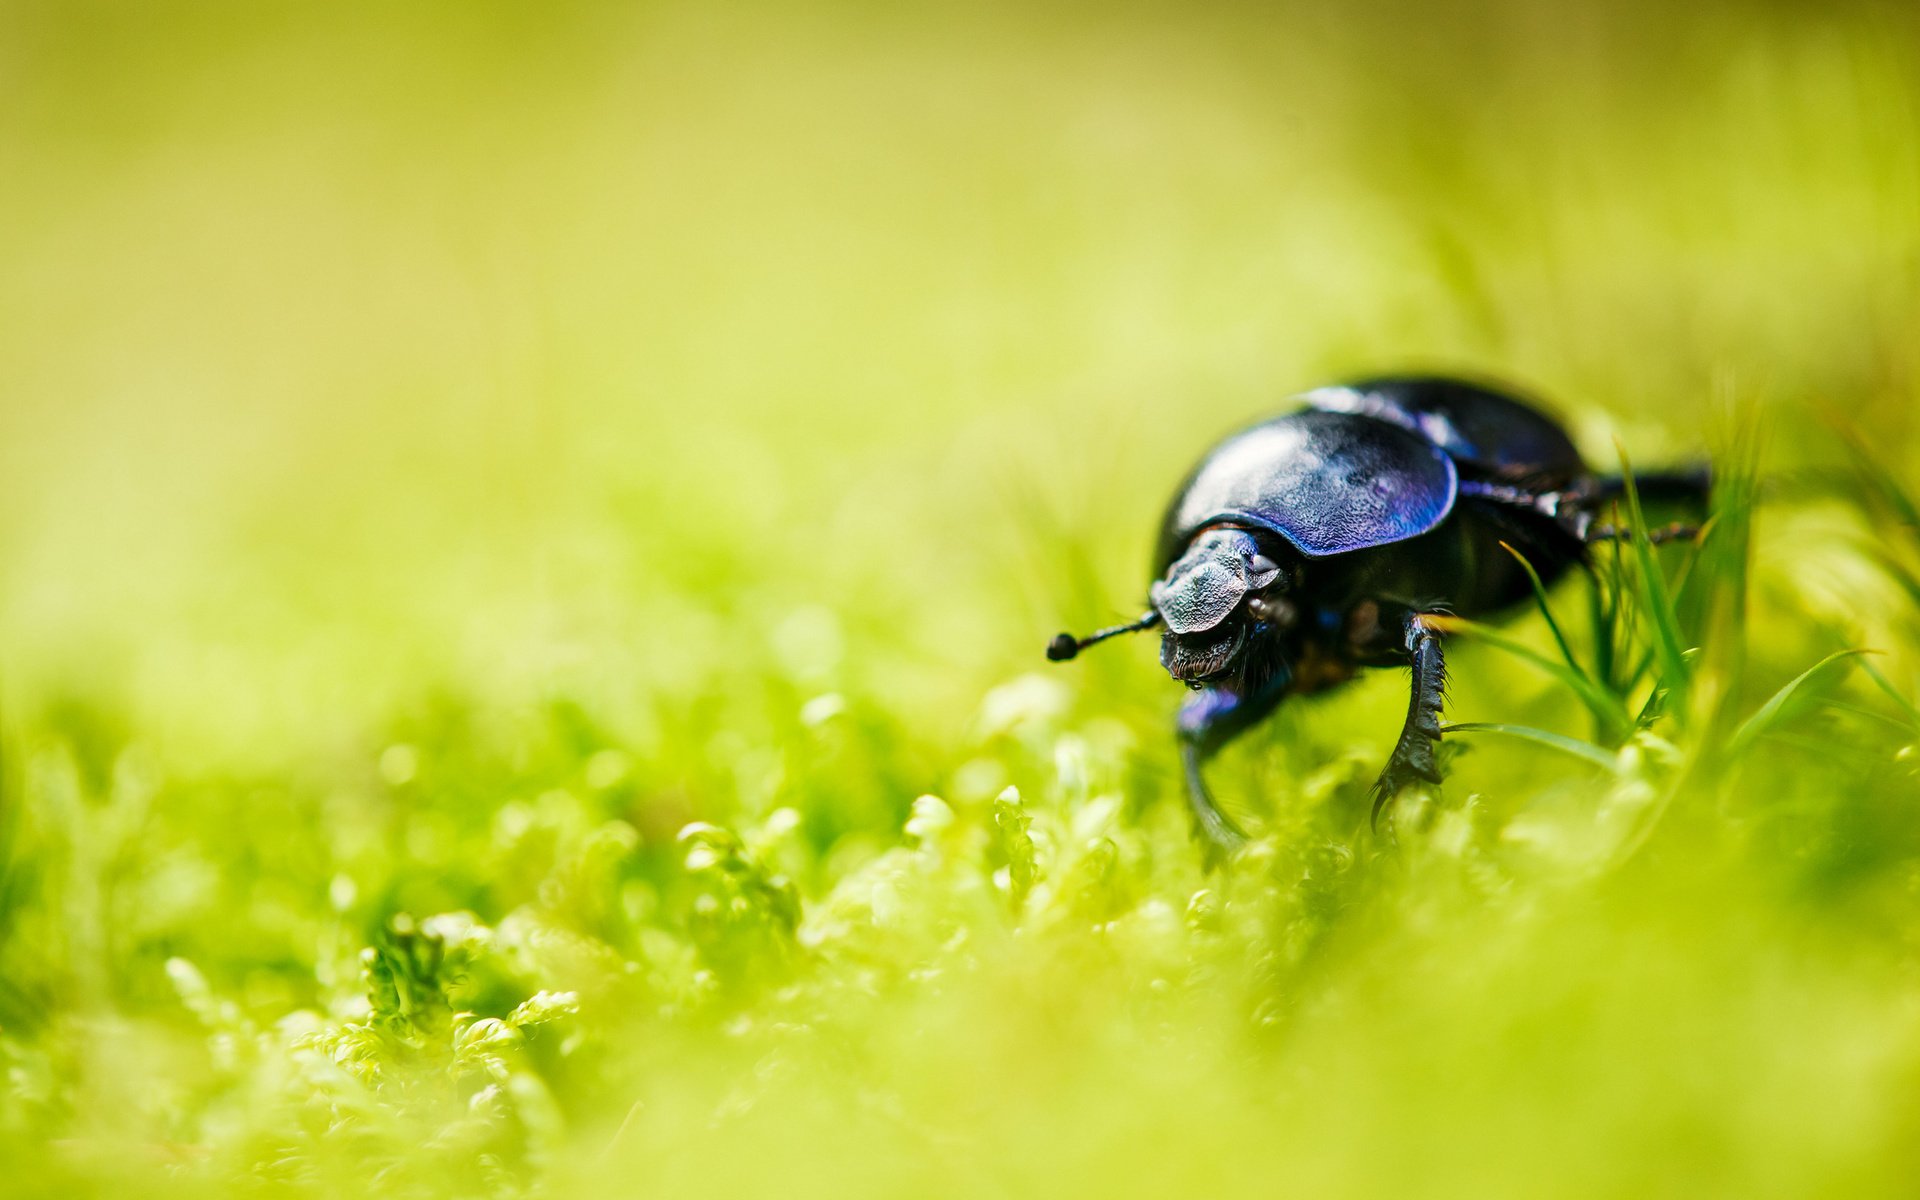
1339	537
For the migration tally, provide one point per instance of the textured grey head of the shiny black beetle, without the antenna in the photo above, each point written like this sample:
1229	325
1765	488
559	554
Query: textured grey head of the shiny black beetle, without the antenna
1212	600
